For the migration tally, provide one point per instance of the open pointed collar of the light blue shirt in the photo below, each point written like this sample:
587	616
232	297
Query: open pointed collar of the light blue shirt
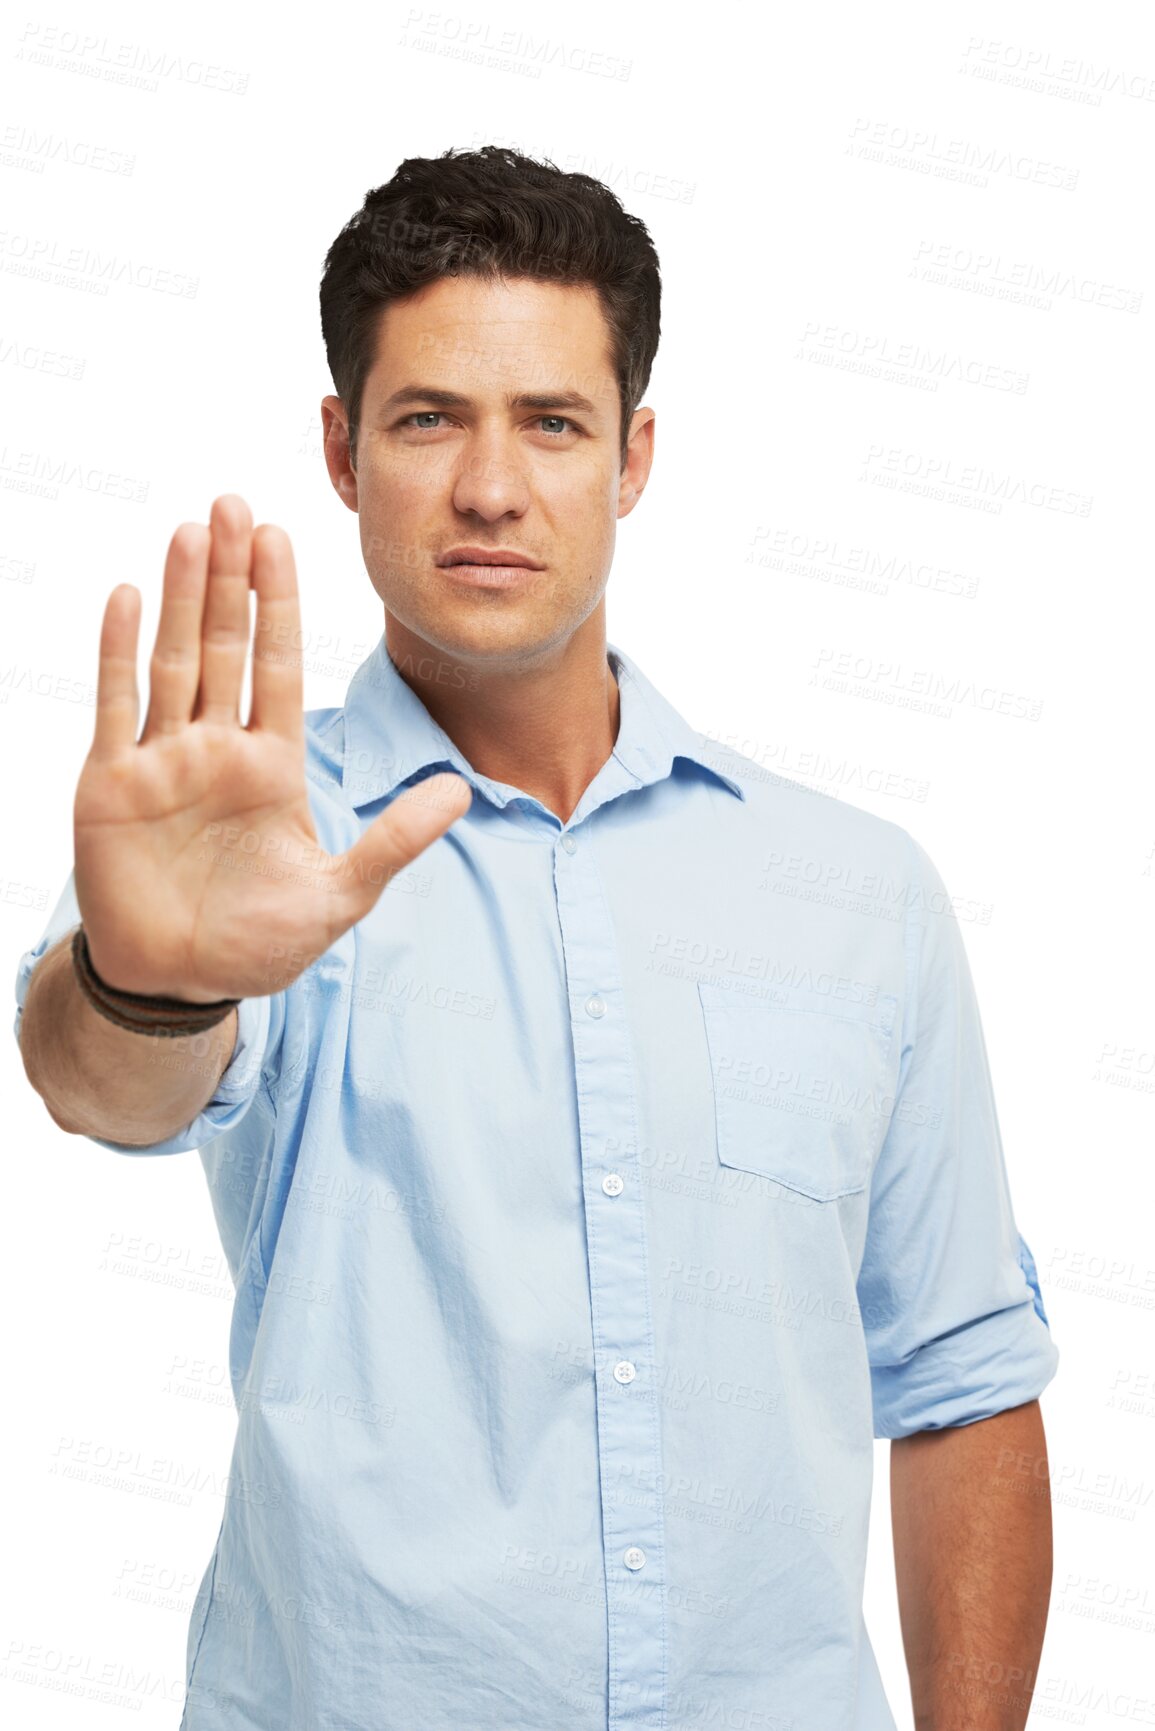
390	737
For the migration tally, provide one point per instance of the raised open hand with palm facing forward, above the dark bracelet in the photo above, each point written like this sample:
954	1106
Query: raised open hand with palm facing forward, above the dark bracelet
169	906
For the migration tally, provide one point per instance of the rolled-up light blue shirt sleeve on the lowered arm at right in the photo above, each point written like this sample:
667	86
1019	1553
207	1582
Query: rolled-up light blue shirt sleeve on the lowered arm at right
948	1289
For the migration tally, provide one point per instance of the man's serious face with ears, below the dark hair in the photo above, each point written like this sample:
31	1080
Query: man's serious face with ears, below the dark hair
486	472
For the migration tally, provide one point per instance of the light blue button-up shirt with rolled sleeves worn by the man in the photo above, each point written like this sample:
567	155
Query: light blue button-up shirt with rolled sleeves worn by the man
591	1206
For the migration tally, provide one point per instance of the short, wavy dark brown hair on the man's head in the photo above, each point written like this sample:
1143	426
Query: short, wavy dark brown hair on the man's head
489	214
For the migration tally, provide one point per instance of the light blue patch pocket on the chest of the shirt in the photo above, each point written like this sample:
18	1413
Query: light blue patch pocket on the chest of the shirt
799	1086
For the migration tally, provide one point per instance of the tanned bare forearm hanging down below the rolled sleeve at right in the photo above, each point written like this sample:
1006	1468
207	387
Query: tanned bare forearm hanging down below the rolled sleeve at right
972	1541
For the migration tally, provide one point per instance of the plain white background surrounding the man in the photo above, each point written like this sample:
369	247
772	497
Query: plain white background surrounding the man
958	198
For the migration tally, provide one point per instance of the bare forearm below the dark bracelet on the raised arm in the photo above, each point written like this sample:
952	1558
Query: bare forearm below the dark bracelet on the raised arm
98	1079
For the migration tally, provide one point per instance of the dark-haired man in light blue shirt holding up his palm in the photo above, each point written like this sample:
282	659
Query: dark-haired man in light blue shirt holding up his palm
593	1200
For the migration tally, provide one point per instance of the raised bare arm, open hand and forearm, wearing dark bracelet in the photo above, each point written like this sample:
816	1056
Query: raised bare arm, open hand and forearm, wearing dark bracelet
171	825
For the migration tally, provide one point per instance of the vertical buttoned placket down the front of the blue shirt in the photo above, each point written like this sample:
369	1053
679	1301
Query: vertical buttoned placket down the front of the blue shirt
629	1441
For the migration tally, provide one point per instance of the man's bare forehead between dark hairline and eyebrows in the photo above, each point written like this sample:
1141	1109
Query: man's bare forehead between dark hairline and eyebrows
477	335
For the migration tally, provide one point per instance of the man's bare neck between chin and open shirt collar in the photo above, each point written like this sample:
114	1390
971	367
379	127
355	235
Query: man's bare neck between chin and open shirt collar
543	726
